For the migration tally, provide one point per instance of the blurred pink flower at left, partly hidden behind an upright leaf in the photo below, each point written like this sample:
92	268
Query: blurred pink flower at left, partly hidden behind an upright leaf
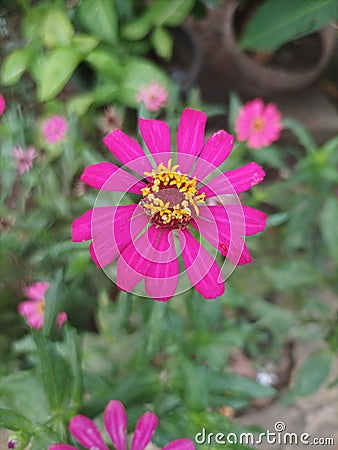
34	308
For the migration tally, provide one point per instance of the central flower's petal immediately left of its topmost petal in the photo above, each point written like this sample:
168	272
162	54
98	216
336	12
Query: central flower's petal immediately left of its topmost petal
156	135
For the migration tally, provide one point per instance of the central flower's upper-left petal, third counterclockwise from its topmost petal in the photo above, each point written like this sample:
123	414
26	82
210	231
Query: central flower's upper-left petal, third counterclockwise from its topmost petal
109	177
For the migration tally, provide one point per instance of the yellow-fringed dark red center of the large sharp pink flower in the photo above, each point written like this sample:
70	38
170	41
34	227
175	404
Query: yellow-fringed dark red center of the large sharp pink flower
171	198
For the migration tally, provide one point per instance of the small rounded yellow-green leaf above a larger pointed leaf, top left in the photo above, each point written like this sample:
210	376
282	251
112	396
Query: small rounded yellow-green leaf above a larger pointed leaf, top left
57	29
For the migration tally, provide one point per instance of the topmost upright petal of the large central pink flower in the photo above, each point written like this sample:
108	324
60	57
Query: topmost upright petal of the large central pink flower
190	137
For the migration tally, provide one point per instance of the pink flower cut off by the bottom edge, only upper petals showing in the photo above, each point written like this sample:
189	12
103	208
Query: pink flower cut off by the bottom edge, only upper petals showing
115	422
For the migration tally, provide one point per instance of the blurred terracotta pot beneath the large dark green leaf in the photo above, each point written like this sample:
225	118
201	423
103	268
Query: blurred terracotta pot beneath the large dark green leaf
253	79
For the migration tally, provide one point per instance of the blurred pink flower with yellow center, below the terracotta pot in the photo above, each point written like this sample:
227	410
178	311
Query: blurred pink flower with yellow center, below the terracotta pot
258	124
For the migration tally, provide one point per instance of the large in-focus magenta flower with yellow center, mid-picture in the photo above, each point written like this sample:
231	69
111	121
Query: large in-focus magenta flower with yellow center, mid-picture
148	237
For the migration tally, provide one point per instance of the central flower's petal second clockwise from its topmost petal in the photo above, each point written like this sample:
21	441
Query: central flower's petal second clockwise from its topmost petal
237	180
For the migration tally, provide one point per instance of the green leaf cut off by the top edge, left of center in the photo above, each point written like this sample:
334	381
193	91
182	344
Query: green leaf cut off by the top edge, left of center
99	18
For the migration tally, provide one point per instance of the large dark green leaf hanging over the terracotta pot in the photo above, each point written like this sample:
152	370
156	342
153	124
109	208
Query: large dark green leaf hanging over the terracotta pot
276	22
